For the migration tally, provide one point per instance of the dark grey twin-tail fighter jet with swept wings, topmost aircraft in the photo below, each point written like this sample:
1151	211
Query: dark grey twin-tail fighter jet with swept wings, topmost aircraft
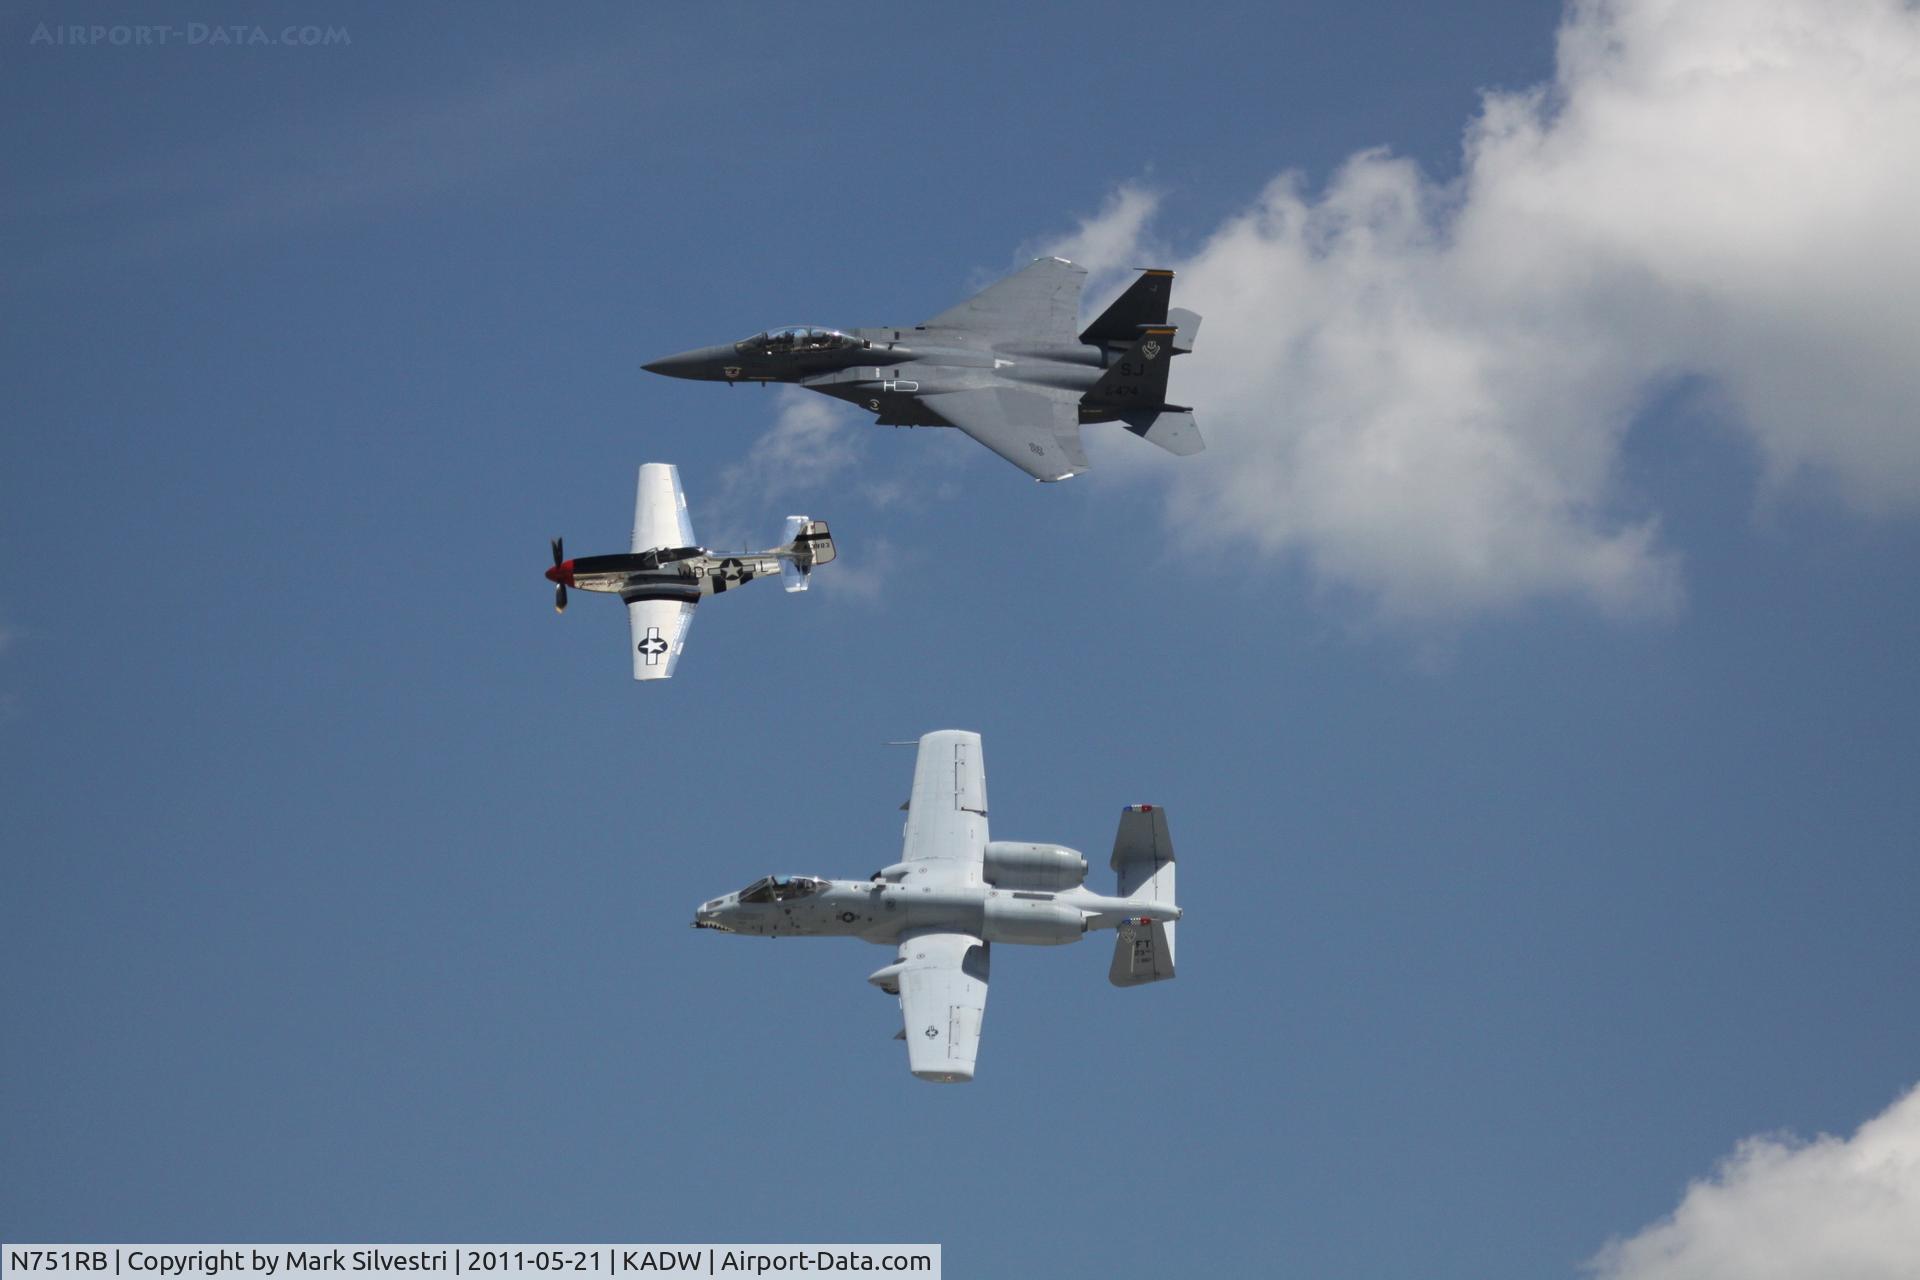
1005	367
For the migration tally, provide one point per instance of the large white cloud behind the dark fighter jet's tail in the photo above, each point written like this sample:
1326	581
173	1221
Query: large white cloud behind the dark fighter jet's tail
1424	389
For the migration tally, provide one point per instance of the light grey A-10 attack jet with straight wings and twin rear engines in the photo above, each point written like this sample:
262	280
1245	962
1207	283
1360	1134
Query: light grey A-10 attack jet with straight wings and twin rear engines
955	893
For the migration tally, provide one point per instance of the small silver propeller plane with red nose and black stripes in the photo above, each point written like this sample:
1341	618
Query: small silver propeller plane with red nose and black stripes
667	575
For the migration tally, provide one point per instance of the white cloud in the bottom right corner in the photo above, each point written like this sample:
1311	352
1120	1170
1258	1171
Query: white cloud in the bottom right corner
1781	1210
